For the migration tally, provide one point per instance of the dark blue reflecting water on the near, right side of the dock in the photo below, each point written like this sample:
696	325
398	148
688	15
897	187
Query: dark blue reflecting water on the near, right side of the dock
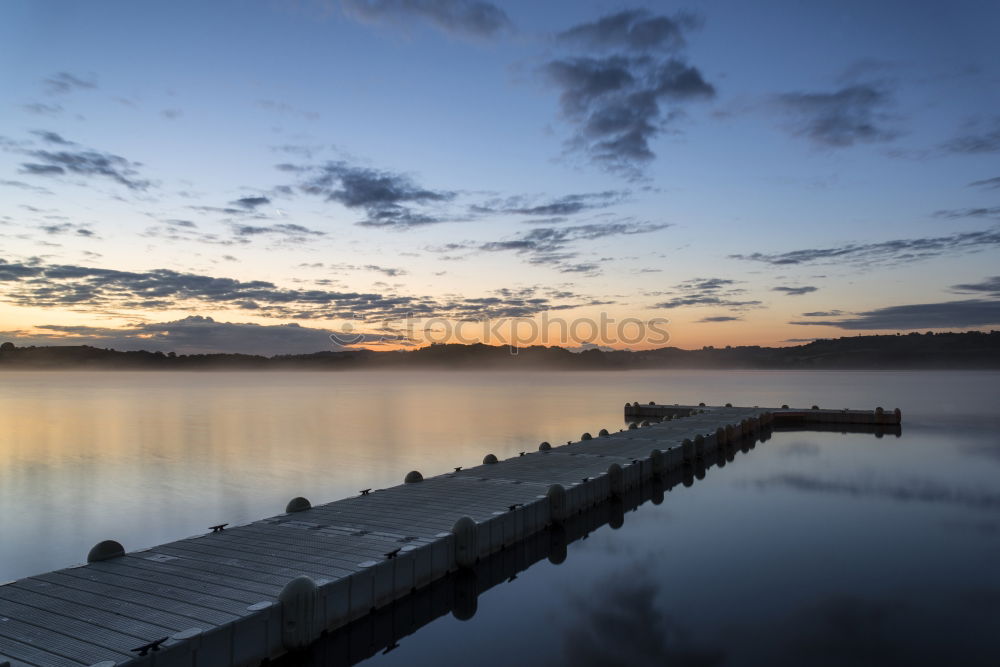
813	549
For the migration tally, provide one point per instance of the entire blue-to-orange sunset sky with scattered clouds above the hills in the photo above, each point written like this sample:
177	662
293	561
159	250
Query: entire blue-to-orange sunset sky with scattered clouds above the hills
252	177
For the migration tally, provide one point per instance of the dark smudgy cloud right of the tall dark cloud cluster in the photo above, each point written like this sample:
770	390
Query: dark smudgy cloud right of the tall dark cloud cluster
854	114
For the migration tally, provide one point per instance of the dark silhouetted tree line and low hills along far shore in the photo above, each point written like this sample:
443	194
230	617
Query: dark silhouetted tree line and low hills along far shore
969	350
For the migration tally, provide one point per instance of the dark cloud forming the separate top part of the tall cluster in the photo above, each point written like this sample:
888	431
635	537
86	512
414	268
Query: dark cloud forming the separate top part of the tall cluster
632	29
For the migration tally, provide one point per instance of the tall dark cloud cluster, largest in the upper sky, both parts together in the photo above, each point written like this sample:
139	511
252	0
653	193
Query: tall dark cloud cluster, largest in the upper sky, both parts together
617	101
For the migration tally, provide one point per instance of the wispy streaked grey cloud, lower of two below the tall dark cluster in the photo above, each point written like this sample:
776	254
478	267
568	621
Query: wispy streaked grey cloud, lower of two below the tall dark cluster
552	245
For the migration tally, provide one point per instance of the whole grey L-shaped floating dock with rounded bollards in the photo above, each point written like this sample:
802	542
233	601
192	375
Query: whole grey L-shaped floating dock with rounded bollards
241	594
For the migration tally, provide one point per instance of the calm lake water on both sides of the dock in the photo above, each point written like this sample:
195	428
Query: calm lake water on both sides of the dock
812	548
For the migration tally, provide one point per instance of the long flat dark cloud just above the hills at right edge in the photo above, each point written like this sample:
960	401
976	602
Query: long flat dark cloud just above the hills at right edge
945	315
